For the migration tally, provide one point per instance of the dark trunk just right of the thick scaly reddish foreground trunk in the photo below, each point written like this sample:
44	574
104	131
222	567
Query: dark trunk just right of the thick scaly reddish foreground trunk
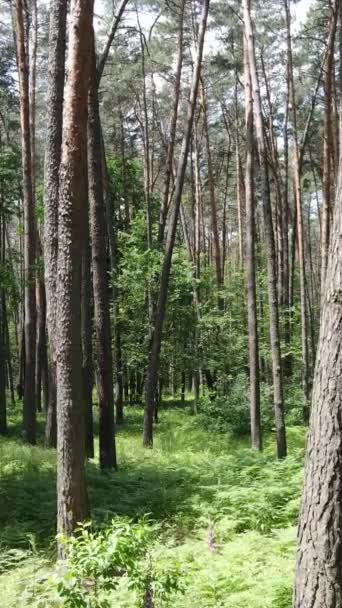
100	277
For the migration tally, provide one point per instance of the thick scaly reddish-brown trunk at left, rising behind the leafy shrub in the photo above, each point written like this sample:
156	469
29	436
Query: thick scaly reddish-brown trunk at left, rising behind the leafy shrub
72	503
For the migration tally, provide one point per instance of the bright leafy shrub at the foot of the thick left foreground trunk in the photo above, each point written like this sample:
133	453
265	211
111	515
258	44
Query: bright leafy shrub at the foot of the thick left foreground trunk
97	561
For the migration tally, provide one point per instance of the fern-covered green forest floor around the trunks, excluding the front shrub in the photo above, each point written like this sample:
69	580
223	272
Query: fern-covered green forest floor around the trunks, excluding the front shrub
230	513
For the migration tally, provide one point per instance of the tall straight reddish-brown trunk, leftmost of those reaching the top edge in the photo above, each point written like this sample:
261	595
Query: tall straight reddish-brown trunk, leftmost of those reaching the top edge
29	413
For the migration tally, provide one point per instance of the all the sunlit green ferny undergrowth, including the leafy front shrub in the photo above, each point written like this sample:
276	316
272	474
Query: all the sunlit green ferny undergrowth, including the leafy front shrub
151	522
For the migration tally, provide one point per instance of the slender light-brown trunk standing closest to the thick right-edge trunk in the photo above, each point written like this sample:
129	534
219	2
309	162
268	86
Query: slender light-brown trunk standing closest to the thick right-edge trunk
306	374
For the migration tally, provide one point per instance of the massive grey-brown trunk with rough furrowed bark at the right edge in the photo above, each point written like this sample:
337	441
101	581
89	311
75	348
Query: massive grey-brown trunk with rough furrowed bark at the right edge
319	565
